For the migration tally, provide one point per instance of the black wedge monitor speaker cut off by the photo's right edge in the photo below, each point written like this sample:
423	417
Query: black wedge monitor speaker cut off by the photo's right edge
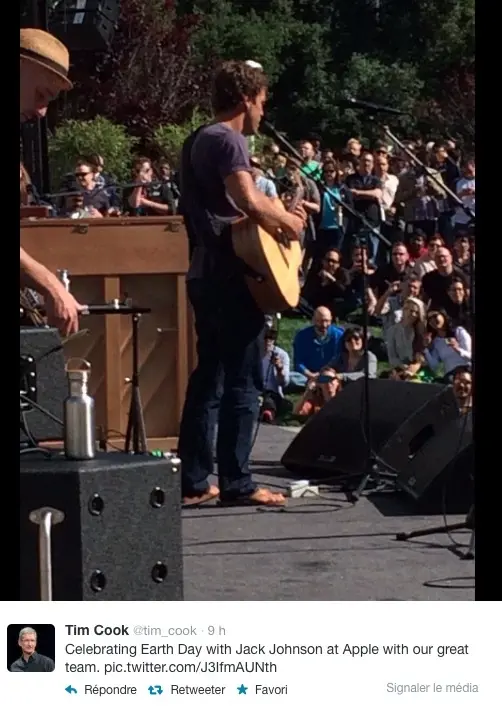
440	475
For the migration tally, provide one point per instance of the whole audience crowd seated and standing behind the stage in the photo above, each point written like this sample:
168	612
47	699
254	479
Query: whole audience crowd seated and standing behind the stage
417	282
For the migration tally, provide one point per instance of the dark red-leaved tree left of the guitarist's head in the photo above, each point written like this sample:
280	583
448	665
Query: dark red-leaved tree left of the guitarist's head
148	77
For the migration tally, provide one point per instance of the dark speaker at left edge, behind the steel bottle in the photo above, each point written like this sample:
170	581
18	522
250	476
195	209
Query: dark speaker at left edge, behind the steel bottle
43	379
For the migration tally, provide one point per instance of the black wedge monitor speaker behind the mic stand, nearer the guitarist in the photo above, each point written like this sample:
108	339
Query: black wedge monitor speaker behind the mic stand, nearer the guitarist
334	440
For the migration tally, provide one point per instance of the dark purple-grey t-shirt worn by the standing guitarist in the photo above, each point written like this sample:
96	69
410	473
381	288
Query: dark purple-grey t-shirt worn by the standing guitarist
209	156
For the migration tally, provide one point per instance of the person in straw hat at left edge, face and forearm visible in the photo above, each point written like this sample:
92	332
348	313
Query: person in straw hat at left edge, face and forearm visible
44	74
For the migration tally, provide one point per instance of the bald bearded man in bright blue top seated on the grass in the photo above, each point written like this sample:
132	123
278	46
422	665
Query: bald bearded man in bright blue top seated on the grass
314	347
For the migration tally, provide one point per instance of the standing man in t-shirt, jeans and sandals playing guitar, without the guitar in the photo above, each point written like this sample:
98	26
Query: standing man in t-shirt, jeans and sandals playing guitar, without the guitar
217	188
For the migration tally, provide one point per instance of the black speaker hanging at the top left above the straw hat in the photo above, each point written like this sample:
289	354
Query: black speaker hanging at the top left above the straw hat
85	25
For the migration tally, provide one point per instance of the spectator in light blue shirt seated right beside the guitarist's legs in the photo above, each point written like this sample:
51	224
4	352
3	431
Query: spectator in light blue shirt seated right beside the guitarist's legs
275	365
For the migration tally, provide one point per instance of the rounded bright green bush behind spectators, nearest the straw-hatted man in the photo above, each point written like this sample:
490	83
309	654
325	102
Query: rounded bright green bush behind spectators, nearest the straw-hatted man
74	139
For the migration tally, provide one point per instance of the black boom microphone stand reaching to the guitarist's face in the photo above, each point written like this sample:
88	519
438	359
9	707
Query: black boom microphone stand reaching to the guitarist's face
372	470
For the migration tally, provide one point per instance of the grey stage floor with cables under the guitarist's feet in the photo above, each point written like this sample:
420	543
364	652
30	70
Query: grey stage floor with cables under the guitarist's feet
319	549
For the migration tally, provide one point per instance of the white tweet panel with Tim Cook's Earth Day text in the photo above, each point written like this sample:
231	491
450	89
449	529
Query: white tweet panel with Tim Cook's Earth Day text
177	656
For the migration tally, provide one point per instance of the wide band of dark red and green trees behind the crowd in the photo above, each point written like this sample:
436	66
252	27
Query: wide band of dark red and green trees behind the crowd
412	55
